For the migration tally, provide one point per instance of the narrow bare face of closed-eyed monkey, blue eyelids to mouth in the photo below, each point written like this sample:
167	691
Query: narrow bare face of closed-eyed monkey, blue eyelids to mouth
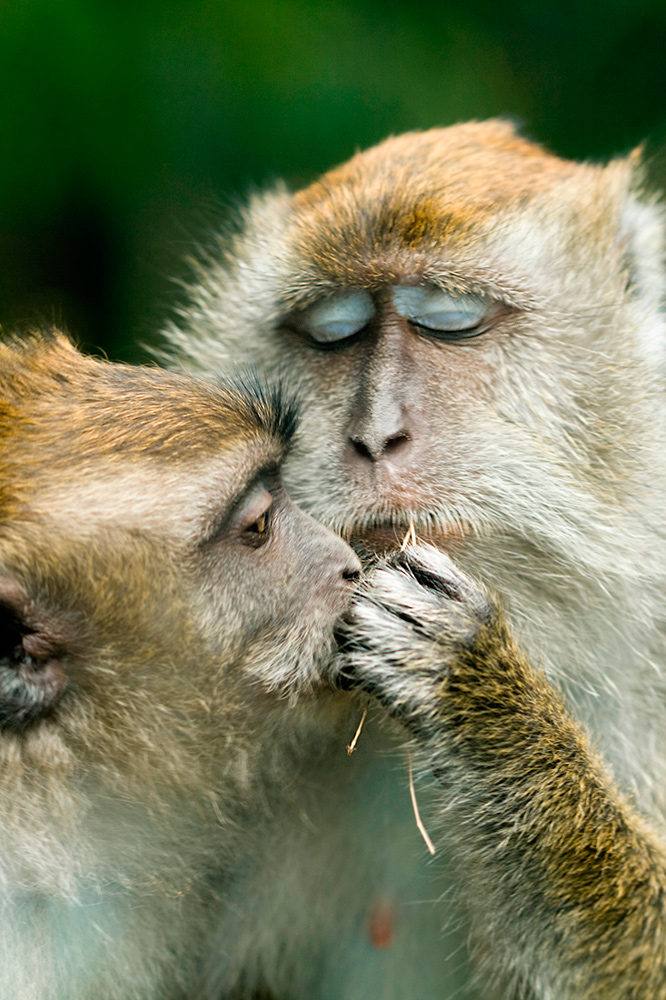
386	458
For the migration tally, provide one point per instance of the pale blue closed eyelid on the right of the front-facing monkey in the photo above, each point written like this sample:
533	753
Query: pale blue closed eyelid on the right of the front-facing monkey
441	314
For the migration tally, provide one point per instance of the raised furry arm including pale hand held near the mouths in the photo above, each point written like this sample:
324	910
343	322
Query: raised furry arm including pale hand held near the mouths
566	883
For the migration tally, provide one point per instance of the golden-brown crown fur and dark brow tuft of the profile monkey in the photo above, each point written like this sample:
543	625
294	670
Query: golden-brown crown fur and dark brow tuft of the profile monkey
55	402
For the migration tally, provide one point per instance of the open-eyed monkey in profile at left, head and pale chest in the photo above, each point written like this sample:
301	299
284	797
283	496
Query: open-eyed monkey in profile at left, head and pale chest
164	611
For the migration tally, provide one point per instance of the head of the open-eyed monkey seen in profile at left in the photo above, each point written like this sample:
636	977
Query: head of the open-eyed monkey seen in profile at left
156	582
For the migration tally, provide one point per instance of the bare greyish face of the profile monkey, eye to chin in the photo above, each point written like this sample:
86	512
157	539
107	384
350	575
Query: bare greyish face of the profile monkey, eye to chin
263	538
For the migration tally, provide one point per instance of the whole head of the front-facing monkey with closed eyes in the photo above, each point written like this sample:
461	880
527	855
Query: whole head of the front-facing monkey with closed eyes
473	323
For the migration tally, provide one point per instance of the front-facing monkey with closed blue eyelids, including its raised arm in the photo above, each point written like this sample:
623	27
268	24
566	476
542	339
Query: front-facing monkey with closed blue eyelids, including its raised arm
476	329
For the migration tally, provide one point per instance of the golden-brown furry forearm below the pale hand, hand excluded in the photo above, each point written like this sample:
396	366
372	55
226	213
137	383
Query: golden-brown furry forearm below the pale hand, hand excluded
546	841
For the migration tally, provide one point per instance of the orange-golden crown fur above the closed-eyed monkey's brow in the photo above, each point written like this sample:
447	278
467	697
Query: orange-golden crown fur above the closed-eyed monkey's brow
426	193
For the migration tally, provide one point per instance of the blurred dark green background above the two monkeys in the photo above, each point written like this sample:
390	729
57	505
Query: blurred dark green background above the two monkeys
128	126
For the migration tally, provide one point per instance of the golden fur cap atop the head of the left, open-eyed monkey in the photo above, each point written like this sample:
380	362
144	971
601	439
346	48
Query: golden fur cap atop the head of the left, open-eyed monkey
44	374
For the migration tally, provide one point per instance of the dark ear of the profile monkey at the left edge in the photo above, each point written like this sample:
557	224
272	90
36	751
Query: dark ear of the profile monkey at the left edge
33	647
